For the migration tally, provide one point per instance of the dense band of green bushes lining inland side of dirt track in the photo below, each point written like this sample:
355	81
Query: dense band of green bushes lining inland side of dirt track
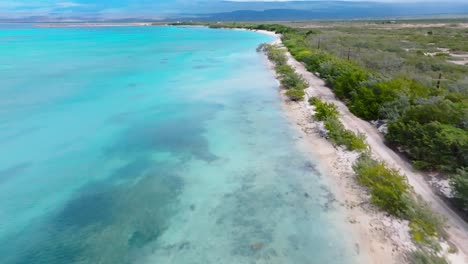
428	123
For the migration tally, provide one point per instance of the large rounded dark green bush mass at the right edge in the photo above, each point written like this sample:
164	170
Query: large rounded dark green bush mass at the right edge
433	132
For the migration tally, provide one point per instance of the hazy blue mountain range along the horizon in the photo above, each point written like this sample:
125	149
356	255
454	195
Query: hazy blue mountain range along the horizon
280	11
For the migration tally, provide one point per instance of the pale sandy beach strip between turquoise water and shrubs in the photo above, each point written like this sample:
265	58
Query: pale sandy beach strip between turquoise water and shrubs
370	229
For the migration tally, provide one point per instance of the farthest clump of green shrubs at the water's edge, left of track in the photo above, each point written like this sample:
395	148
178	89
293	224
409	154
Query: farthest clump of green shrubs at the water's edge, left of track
290	80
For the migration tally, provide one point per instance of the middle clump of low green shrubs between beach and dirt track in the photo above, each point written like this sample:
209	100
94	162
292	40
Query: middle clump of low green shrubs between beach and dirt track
337	133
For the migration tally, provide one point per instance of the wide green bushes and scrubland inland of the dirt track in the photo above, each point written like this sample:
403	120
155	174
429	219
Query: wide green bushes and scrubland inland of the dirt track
428	117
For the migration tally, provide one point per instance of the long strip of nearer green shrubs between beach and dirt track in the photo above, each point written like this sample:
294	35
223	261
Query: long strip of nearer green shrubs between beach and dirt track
388	188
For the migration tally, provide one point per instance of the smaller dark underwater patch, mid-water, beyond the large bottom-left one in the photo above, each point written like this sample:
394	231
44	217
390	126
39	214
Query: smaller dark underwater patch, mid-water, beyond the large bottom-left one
168	129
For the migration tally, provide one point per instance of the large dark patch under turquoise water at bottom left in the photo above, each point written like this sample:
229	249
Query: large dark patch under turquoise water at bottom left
105	223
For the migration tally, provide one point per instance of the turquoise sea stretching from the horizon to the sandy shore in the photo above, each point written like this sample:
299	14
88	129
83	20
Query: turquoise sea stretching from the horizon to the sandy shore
154	145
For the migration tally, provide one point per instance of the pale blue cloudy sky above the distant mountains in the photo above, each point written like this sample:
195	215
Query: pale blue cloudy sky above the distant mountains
146	8
